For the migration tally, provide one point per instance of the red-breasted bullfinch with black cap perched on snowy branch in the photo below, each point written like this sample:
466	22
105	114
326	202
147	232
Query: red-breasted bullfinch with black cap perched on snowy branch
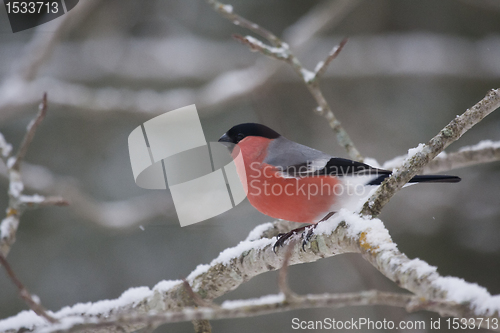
290	181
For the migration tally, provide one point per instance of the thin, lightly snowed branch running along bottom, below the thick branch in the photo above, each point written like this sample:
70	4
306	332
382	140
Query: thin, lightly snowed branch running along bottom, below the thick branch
265	305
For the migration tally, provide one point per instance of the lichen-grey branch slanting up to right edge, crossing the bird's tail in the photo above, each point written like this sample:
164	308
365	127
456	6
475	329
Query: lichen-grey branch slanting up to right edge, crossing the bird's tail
414	164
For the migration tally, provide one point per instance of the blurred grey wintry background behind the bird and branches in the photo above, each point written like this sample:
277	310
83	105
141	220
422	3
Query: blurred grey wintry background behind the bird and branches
409	67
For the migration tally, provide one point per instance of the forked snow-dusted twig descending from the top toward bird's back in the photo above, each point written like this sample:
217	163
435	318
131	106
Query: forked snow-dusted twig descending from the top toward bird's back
281	51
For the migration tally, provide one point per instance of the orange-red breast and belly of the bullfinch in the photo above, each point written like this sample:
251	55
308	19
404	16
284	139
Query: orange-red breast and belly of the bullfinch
301	199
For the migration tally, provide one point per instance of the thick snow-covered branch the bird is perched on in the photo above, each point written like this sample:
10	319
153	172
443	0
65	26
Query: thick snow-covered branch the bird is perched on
345	232
